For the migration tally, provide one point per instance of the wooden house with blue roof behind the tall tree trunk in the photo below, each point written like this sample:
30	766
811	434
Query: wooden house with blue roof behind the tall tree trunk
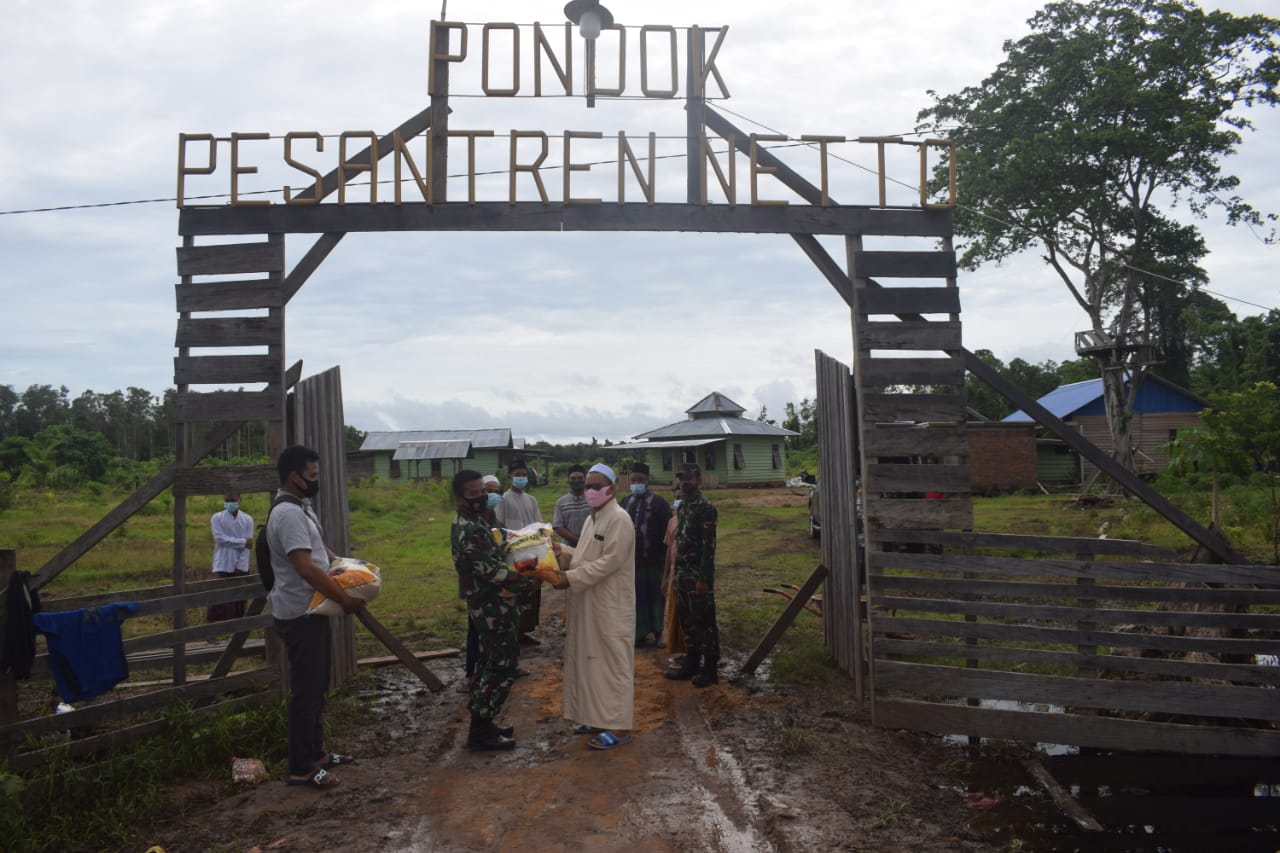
1160	410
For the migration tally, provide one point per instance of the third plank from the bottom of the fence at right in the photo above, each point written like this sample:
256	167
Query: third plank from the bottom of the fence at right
894	649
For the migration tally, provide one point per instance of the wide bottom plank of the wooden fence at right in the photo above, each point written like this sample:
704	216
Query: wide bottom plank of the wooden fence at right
1104	733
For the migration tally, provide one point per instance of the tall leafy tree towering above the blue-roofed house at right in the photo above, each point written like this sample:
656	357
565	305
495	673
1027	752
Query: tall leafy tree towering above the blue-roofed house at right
1104	117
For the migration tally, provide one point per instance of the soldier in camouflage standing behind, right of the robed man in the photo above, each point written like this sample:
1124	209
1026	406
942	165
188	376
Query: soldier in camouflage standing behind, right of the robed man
696	581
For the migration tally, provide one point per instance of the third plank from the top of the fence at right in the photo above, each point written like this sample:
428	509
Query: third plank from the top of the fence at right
1187	596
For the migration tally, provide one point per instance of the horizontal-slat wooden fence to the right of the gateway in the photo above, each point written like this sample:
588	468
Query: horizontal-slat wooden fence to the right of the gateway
984	636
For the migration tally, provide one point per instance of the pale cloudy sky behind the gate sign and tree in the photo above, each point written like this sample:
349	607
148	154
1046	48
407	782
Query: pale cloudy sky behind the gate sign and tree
559	336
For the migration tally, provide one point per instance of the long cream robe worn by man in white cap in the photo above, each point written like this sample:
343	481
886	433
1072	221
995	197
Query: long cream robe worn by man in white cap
600	644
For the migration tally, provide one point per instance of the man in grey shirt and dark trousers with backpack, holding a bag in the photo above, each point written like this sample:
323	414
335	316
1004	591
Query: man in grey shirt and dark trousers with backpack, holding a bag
300	562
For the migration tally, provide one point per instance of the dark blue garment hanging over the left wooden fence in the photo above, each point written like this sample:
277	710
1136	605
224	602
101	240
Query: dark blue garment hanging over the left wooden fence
86	650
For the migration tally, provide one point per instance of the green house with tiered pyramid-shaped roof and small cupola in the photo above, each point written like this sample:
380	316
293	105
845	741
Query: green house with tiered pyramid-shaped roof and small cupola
730	449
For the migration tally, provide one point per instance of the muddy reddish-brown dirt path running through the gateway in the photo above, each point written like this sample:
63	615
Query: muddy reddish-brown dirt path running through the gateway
719	769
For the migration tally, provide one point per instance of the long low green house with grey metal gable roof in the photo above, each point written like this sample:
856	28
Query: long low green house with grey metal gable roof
438	454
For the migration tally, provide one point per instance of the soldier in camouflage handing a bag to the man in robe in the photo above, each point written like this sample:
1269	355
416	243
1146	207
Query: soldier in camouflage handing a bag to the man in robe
490	586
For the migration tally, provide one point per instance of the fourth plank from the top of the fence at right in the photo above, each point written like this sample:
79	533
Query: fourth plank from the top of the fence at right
1028	614
